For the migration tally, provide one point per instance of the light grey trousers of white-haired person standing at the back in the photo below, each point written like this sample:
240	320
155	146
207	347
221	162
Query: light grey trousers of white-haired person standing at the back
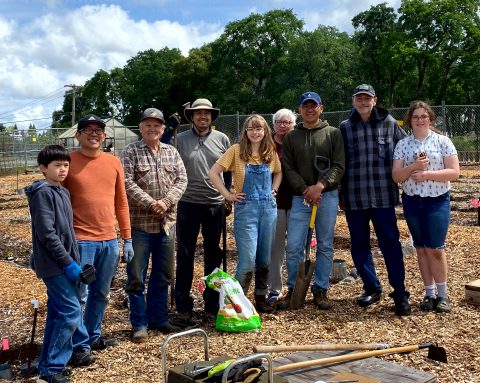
275	281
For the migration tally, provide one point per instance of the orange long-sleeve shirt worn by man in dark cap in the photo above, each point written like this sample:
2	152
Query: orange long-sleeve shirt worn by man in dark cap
99	200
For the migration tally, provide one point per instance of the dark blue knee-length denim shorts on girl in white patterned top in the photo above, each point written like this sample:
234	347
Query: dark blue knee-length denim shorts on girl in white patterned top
427	219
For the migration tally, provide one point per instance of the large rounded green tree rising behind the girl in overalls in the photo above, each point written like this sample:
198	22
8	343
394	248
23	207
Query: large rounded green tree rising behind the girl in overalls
247	57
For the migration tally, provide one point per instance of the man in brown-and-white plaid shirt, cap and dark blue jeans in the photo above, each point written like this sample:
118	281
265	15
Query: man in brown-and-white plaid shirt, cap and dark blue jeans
155	180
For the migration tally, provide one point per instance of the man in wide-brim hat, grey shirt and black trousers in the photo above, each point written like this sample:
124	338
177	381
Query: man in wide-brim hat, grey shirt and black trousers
200	206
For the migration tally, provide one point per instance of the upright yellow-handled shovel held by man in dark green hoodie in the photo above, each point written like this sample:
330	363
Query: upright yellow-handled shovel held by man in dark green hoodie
305	269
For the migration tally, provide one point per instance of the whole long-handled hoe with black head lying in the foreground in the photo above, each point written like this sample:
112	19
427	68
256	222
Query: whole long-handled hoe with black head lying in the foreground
434	352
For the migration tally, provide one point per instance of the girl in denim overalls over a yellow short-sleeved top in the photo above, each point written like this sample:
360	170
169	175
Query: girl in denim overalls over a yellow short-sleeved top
252	162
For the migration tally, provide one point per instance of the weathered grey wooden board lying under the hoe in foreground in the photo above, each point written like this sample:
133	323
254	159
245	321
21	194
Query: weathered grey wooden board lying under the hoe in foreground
386	372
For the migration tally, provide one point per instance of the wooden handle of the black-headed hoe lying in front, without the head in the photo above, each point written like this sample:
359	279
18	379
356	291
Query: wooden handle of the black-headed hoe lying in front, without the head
345	358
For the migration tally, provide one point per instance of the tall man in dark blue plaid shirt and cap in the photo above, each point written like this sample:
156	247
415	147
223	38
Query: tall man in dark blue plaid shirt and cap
368	193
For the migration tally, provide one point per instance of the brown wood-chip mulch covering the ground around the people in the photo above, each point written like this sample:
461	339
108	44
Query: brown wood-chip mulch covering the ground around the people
457	332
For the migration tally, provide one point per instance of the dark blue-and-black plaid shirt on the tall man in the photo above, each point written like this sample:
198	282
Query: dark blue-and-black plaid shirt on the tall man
367	182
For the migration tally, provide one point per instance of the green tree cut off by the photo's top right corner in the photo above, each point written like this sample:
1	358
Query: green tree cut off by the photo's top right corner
445	32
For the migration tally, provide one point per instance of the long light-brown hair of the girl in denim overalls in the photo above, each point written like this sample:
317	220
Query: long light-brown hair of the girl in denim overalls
267	146
